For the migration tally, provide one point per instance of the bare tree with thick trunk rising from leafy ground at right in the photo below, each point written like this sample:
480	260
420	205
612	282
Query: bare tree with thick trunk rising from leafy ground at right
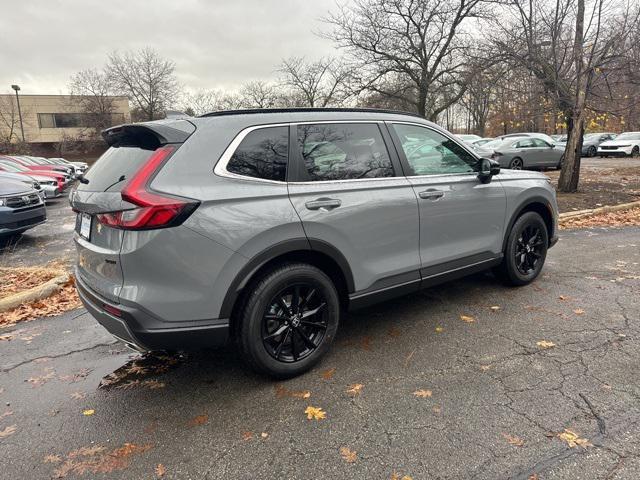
572	47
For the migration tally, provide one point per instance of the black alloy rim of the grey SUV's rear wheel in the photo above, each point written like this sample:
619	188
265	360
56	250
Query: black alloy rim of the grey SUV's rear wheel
294	323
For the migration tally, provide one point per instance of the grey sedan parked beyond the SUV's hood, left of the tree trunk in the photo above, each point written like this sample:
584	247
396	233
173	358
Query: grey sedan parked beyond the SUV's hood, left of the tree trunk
519	153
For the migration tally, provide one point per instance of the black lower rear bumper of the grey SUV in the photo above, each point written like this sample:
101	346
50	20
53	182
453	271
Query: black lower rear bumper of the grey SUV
139	329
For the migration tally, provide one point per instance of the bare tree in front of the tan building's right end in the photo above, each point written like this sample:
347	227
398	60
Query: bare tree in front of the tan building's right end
93	90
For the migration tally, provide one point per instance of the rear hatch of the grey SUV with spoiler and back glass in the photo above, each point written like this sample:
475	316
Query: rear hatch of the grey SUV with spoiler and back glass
98	199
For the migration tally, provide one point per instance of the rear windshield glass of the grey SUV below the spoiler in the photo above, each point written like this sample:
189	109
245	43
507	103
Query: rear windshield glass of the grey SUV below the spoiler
114	168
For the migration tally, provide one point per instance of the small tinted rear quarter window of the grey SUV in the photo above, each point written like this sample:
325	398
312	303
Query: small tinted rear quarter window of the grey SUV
262	154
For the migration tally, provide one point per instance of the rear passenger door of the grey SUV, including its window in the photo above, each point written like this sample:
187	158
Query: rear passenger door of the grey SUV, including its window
350	192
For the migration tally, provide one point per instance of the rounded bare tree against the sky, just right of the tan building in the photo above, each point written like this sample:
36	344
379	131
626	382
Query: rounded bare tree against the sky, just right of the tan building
146	78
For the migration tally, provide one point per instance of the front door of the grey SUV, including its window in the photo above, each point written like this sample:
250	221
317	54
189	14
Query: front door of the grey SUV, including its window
461	219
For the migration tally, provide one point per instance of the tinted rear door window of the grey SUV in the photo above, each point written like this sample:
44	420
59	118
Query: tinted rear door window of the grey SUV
341	151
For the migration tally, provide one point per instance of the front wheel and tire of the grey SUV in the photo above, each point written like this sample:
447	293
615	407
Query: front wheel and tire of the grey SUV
519	266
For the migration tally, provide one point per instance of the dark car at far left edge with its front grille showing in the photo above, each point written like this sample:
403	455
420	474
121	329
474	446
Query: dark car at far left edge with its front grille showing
21	207
